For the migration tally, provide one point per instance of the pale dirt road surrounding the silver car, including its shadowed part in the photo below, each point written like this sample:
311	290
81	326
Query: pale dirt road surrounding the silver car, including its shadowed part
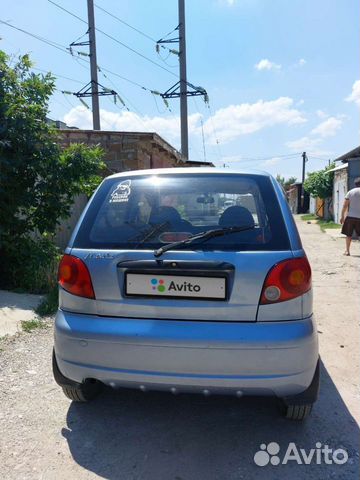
131	435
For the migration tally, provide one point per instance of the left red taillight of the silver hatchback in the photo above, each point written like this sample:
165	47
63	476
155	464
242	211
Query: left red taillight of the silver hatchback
74	277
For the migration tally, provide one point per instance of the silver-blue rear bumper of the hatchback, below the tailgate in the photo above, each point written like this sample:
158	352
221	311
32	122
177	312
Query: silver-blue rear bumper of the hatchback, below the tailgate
254	358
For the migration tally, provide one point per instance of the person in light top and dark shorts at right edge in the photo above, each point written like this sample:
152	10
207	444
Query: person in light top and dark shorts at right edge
350	214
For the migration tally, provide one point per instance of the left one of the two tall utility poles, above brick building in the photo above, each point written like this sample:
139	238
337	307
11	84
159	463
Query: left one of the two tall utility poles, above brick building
93	67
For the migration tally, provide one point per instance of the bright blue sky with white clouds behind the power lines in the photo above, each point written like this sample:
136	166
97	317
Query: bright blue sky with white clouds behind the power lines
282	76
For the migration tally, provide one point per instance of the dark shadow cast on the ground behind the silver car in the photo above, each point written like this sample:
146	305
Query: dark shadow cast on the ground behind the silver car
132	435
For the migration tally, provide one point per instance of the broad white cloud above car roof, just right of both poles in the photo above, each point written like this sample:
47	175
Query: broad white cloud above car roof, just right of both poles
234	121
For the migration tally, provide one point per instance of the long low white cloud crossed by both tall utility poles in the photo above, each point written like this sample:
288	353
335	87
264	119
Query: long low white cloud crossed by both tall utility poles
167	126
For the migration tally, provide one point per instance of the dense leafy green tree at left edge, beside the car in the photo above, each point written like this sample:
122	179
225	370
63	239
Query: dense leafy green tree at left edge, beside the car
38	180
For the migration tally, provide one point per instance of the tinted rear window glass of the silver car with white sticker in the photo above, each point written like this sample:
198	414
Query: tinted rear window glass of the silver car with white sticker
149	211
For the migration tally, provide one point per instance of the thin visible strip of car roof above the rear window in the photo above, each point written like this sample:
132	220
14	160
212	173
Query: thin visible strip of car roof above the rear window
189	170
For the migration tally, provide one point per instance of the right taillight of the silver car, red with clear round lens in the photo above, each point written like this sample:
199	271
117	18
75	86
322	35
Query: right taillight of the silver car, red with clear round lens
286	280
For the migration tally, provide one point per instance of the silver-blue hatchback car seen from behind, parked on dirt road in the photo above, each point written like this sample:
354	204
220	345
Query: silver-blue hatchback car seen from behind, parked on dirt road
188	280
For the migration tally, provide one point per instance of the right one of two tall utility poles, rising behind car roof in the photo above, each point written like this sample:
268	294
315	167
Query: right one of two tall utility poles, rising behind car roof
183	82
